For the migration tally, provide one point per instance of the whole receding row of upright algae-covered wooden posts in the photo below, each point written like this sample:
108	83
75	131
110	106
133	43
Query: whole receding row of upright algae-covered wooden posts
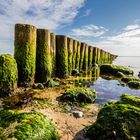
40	54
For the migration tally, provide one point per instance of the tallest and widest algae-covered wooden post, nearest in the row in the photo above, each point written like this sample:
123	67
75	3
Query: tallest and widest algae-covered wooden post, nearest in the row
25	52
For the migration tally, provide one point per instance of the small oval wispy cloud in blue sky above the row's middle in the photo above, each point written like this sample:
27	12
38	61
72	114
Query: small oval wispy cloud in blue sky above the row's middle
89	31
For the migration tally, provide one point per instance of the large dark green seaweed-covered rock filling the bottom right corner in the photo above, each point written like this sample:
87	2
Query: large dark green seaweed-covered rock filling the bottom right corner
117	121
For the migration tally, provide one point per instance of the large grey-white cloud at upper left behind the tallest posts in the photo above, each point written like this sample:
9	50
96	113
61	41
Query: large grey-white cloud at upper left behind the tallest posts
50	14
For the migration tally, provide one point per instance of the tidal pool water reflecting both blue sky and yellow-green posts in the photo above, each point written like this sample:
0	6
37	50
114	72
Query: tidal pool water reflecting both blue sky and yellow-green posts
106	89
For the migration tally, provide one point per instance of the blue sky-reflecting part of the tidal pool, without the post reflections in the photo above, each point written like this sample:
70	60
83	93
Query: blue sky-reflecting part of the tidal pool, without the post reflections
110	90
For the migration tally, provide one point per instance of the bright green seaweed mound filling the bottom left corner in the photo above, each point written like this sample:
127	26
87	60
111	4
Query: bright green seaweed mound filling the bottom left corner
26	126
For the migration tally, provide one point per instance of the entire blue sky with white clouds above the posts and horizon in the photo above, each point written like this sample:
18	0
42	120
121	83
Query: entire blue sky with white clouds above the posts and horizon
113	25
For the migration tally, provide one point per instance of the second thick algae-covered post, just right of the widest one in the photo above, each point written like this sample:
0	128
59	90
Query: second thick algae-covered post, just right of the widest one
43	56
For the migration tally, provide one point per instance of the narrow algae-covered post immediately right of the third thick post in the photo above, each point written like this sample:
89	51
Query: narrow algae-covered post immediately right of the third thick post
70	54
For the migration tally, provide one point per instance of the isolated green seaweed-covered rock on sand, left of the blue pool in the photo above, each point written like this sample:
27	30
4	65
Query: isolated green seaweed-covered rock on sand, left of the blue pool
79	95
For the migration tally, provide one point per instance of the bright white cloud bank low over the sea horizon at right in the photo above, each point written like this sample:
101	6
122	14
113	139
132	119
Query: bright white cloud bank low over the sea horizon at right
125	43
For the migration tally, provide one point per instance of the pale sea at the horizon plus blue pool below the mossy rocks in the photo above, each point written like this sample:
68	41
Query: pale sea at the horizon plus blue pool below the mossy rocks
110	90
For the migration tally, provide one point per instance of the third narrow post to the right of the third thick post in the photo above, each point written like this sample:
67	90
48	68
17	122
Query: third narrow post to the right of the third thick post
78	55
